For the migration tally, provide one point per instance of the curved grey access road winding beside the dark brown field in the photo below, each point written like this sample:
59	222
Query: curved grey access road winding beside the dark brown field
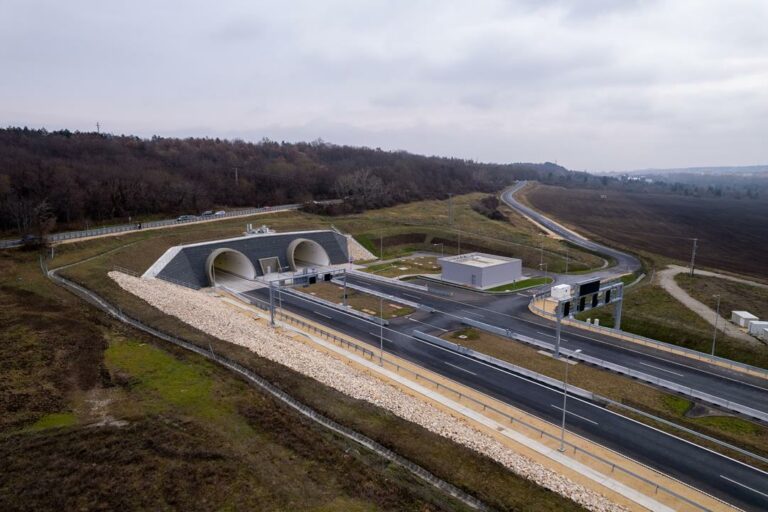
625	262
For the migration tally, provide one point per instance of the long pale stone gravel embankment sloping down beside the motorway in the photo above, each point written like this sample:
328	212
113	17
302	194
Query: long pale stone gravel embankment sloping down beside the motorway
211	315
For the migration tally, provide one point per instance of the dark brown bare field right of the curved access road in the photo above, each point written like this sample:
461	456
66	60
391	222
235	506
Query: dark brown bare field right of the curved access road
732	233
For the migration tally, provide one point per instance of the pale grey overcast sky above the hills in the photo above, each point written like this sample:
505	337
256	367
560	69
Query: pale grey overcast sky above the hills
591	84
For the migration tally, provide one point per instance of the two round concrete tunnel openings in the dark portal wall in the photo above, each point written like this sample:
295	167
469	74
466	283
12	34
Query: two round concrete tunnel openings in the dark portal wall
301	253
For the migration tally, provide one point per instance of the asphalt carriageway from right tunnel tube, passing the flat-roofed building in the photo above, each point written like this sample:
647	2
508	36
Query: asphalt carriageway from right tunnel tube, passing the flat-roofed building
511	312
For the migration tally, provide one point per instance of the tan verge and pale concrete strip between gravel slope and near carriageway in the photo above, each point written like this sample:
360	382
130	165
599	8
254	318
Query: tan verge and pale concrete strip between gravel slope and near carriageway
576	466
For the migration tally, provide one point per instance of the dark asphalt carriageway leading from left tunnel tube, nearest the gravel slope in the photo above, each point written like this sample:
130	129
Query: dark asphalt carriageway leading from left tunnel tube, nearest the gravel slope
725	478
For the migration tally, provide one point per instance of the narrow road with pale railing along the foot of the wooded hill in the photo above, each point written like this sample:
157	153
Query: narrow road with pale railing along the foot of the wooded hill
126	228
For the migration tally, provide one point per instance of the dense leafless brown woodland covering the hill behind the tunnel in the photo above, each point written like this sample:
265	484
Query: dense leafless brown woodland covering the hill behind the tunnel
66	179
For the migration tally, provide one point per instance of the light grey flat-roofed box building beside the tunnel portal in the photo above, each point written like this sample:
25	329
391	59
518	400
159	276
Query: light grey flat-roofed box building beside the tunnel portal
481	270
